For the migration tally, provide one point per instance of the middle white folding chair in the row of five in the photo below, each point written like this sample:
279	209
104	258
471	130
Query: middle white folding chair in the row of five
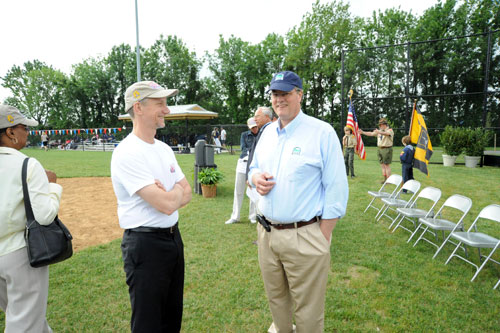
409	213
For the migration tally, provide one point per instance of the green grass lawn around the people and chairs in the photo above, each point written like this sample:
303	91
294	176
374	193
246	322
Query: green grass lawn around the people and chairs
377	281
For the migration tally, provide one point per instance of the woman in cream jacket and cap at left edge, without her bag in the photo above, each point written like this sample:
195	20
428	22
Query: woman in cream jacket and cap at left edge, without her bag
23	289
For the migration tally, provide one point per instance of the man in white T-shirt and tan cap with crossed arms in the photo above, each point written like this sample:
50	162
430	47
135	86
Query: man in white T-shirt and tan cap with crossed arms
150	187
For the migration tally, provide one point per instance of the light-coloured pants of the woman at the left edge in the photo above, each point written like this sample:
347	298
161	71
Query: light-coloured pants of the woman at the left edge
23	293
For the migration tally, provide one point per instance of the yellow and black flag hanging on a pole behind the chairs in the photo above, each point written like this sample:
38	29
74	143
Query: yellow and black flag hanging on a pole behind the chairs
420	137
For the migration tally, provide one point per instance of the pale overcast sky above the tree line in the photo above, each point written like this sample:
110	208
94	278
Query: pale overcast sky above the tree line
62	33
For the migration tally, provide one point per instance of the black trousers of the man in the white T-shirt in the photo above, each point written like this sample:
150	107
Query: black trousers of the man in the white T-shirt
154	267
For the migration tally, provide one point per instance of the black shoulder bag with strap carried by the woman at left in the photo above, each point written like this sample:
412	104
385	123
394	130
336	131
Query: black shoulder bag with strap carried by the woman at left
47	244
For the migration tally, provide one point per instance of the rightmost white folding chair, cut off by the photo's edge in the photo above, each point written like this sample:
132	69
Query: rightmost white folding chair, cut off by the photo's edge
479	240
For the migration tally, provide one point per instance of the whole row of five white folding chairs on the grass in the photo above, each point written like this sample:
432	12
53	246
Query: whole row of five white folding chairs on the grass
408	204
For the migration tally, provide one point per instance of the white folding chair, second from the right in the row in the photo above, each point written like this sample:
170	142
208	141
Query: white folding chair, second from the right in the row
437	223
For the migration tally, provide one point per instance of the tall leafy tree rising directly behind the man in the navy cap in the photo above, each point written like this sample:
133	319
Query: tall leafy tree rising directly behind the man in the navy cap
314	51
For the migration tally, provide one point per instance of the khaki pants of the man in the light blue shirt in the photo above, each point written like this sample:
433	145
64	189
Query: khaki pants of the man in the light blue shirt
294	265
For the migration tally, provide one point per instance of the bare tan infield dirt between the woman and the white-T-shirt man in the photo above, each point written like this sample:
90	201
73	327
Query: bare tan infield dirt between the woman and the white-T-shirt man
88	209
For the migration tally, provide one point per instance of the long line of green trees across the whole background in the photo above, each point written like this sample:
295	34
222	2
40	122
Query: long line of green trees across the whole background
92	95
